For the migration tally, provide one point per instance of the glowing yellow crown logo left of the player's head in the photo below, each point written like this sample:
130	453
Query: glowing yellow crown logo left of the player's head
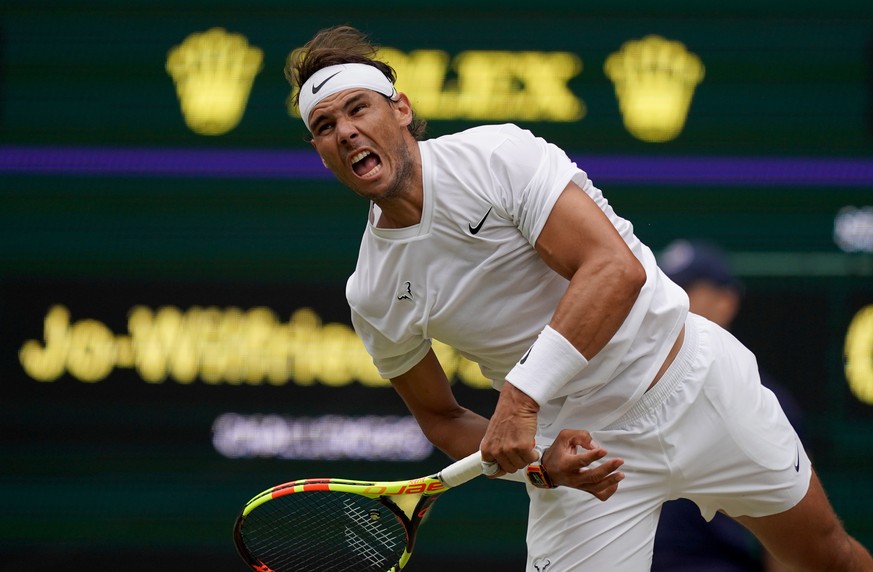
213	72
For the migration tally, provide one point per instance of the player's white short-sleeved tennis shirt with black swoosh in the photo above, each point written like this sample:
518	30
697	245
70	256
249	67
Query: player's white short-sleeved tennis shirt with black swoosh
468	275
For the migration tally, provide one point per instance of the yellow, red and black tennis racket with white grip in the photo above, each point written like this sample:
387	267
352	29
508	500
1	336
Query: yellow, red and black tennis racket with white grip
343	525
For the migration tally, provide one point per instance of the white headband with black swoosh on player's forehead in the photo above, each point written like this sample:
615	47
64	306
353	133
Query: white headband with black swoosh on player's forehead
332	79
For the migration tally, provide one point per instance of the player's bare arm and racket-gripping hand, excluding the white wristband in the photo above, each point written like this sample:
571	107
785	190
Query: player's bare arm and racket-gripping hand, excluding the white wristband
579	242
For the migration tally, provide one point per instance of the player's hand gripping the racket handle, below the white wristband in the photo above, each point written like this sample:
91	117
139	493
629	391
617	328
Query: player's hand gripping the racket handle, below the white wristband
509	439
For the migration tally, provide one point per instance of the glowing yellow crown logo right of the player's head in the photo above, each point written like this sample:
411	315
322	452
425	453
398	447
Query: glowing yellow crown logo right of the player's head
654	80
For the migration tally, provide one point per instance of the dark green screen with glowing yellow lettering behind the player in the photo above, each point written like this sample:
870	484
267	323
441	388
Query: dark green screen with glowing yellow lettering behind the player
175	337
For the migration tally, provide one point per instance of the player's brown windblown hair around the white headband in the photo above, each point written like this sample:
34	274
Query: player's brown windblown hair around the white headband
339	45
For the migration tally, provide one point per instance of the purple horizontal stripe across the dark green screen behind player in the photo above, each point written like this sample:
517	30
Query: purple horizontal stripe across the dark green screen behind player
305	164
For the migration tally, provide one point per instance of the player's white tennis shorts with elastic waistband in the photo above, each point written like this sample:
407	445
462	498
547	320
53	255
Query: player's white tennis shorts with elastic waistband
708	431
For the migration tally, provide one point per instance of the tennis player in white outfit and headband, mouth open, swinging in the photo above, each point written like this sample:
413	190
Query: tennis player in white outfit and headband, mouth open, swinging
494	242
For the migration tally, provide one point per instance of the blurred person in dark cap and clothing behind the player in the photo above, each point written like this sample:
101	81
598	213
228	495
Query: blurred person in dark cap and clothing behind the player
684	541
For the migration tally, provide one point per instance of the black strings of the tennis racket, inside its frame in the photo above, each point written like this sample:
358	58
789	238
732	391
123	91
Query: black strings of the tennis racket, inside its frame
323	530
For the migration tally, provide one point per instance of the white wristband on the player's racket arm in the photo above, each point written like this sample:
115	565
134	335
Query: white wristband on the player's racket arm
547	366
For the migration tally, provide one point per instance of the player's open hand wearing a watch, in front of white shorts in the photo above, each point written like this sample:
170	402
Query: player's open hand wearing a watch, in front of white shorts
567	466
